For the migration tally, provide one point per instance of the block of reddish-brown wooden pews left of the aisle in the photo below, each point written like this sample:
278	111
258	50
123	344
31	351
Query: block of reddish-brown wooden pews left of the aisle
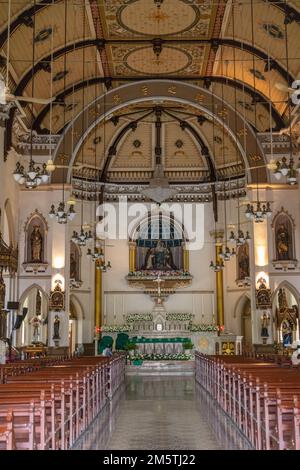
46	404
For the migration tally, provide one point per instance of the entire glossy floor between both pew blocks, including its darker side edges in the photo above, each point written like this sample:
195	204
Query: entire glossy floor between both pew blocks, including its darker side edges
161	413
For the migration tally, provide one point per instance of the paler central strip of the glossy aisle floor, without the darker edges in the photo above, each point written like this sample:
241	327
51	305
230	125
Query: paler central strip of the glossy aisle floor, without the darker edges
160	413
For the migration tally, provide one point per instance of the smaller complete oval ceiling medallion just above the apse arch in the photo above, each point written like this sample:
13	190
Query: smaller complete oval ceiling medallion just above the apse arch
171	60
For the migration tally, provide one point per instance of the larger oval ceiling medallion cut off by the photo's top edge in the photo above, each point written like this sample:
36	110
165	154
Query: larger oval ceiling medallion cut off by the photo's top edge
172	17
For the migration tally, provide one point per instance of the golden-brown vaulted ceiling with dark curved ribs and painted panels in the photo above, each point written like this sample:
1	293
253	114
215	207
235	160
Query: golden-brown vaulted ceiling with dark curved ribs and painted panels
75	51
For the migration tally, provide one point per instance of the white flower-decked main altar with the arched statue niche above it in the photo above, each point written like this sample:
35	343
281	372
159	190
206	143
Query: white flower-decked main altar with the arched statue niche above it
159	266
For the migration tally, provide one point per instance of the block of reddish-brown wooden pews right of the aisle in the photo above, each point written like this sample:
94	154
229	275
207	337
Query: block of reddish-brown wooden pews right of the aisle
260	396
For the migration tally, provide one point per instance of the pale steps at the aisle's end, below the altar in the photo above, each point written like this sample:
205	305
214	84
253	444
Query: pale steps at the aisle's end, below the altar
162	368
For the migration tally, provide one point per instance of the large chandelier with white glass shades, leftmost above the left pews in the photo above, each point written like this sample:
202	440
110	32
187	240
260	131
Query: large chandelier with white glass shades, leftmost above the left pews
32	177
